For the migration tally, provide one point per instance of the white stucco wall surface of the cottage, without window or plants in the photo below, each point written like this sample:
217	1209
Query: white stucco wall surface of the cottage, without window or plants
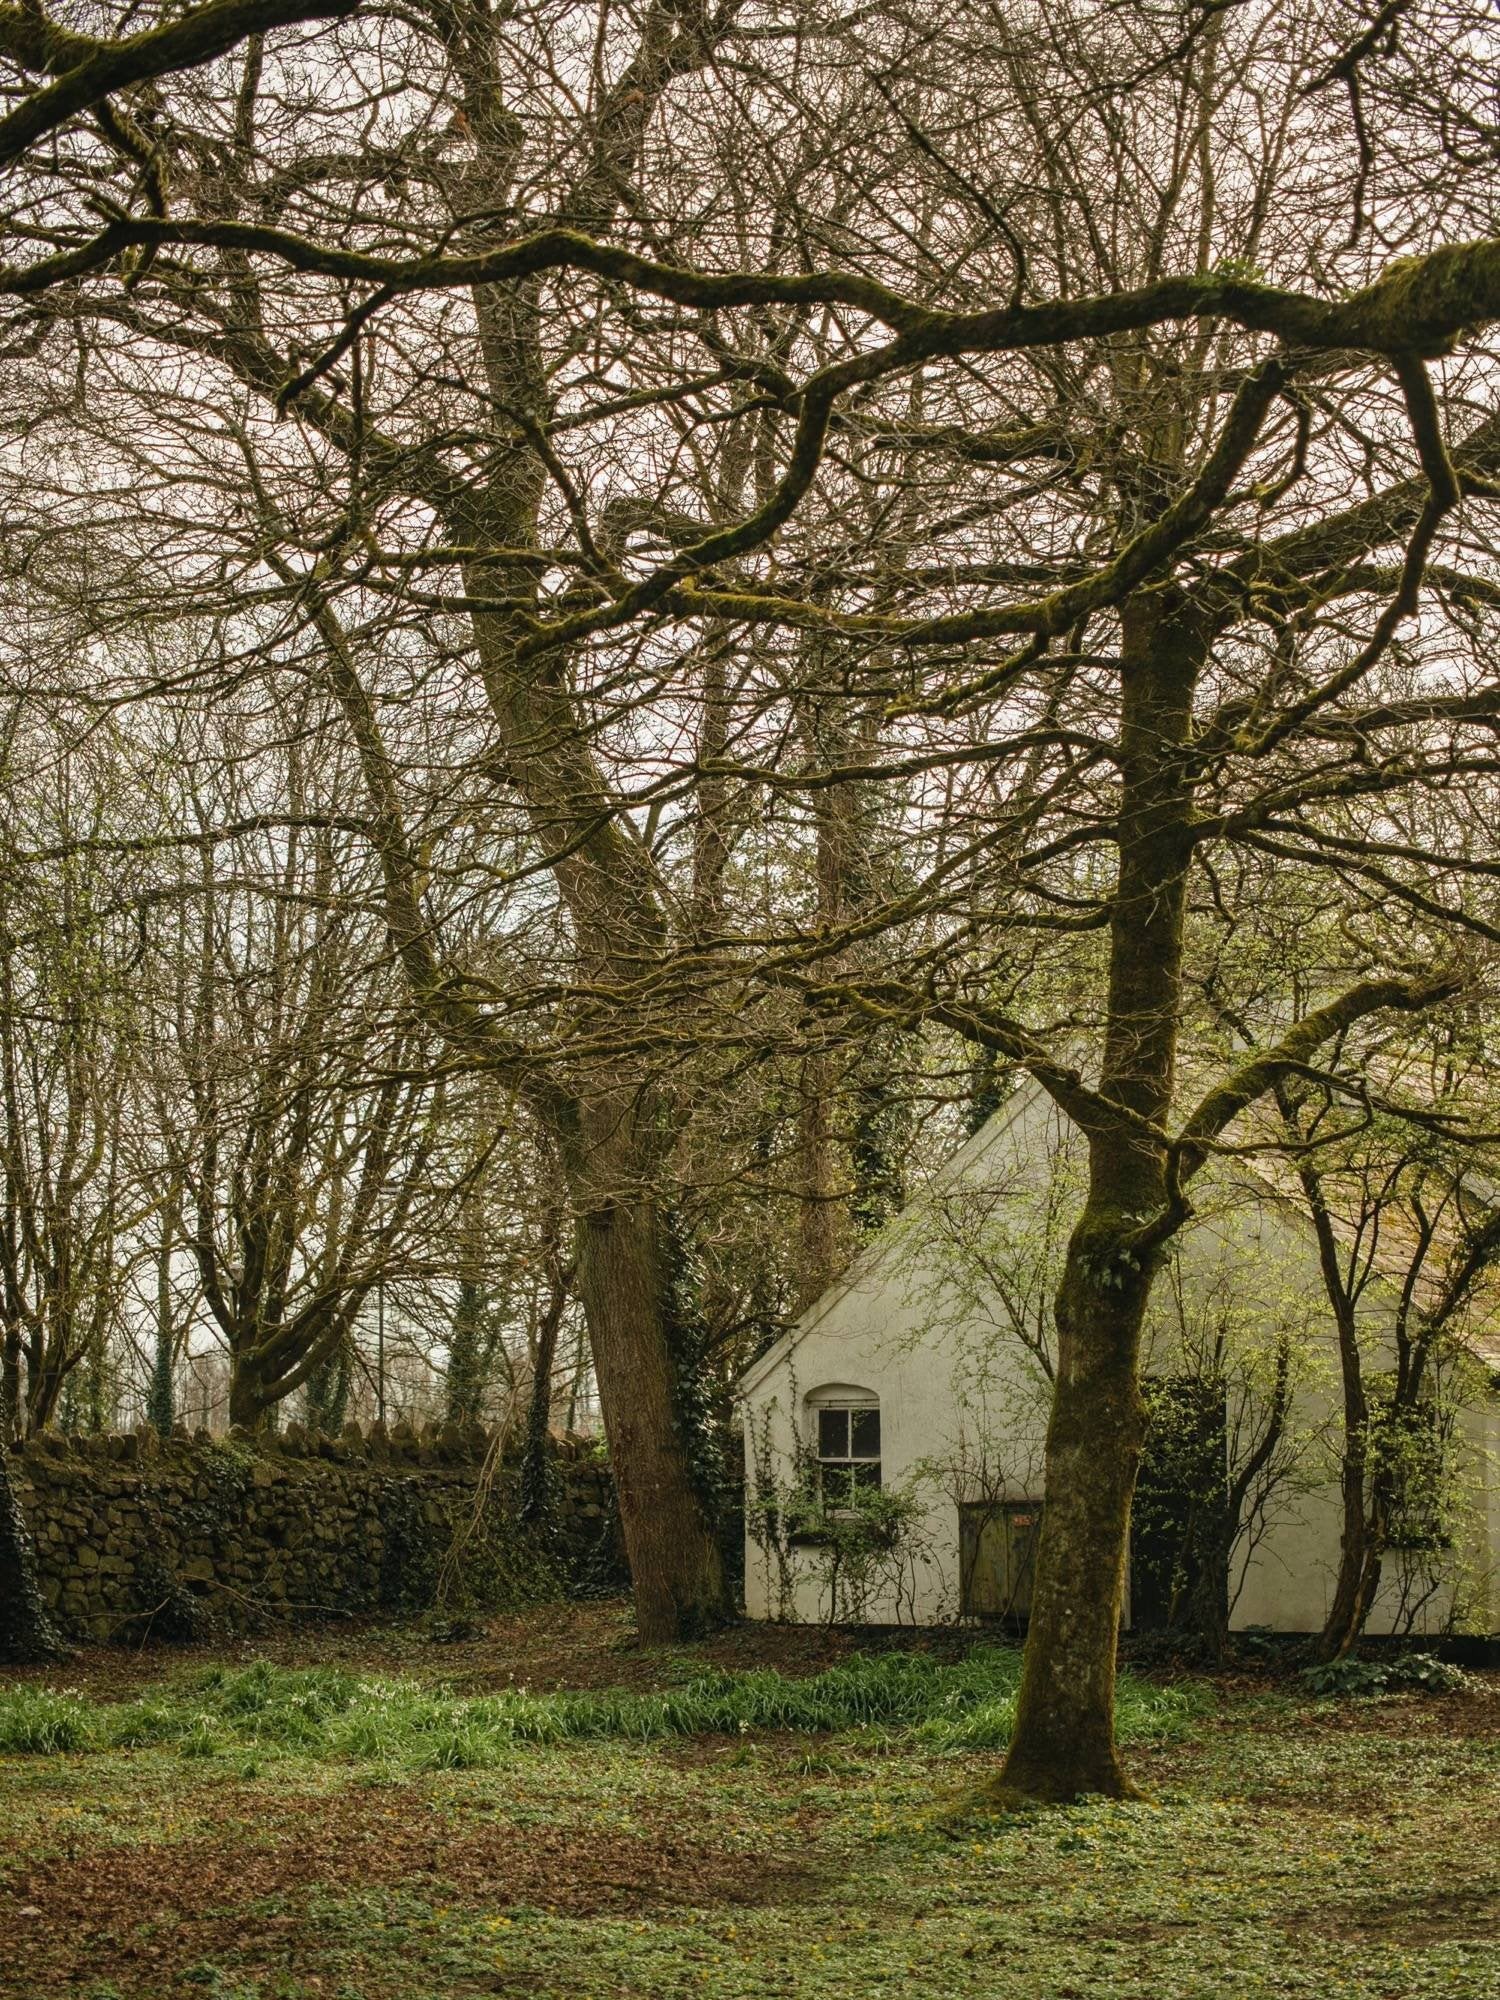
931	1321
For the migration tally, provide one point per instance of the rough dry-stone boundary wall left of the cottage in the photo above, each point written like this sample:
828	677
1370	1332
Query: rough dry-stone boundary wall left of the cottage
189	1537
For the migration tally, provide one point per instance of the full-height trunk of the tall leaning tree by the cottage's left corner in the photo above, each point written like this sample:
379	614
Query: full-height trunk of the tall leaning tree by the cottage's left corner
611	1129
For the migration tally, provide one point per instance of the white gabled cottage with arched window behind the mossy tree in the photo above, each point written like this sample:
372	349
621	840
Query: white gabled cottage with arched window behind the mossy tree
895	1435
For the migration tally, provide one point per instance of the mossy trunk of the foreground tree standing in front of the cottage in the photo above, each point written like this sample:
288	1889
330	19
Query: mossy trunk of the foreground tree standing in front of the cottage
1065	1713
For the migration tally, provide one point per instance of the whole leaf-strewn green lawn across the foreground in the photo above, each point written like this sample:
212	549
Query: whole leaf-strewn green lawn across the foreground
339	1831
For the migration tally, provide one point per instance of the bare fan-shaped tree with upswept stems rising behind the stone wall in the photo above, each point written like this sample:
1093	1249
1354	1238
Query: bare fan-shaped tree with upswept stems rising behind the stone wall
295	1103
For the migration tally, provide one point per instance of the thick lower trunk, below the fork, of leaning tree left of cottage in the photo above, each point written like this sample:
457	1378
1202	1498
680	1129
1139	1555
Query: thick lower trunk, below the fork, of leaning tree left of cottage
673	1553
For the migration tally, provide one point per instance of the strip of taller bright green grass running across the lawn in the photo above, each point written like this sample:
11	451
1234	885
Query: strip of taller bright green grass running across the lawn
339	1715
